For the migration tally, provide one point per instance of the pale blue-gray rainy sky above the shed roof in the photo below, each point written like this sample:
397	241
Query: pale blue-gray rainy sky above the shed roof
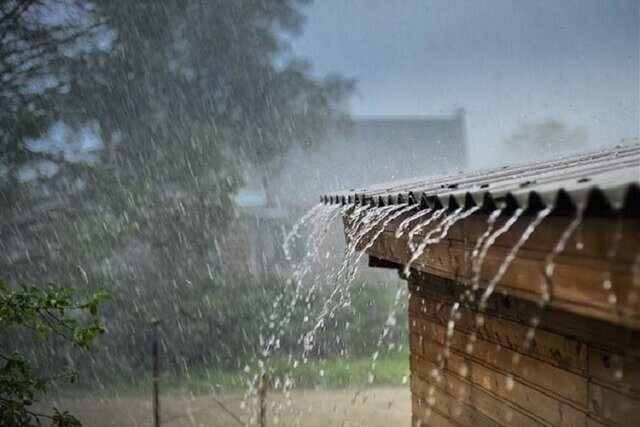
506	62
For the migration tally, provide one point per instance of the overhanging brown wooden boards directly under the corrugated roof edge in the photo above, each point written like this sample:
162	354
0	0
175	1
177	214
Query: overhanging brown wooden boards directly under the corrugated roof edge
580	271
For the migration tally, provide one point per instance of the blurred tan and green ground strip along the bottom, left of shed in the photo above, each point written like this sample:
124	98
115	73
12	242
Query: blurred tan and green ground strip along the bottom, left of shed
333	392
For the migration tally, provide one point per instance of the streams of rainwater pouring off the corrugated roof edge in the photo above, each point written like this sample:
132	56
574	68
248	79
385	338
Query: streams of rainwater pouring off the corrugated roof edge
364	226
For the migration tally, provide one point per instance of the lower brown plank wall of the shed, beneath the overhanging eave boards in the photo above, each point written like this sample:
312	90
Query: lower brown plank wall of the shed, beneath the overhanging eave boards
577	371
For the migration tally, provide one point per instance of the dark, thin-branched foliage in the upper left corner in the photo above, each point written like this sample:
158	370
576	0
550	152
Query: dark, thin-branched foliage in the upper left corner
40	42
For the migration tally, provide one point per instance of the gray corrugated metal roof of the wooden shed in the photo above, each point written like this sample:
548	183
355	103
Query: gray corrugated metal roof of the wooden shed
597	182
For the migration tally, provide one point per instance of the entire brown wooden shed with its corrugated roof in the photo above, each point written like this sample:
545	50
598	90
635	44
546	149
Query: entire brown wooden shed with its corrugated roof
524	288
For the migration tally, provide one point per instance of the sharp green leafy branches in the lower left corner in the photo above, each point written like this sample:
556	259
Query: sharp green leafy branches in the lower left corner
57	311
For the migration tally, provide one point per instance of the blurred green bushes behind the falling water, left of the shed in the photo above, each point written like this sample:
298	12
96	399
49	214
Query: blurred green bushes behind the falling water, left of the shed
226	322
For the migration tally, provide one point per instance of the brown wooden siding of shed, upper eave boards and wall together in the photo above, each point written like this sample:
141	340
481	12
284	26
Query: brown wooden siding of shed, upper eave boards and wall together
582	364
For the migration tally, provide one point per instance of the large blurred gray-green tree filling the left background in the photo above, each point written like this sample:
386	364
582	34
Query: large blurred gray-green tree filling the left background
182	94
